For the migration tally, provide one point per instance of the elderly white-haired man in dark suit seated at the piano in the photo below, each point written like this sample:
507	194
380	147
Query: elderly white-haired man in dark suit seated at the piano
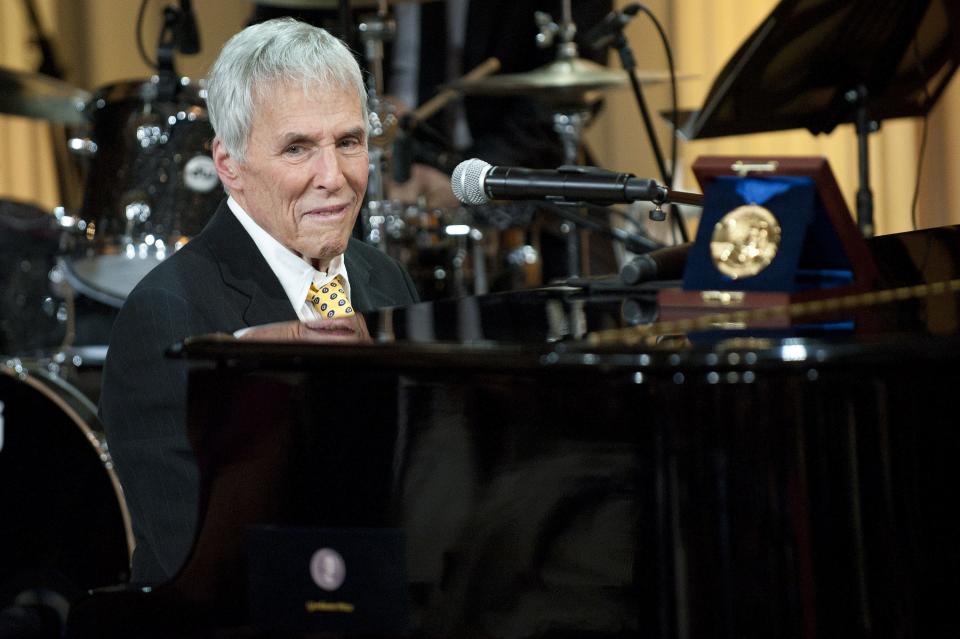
288	106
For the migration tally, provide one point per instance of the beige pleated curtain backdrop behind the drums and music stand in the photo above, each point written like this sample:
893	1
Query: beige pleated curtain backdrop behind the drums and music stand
95	41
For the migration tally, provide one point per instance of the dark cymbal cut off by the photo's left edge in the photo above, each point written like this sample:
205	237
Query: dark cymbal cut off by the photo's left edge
39	96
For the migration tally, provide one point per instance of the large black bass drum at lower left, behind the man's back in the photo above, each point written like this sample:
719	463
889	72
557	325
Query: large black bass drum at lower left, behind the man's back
64	526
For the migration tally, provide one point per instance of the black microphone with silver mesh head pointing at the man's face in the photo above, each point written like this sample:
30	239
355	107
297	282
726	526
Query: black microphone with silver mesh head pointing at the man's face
477	182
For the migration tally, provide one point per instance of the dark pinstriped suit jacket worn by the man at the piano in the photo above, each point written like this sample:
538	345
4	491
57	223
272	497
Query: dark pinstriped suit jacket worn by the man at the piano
218	282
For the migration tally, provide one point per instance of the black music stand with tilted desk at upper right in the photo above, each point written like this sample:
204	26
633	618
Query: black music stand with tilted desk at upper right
814	64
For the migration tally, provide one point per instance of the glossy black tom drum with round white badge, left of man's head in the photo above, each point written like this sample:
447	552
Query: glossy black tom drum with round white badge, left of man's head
151	185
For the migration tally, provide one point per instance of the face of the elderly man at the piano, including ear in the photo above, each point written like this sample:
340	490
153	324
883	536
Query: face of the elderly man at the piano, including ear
305	171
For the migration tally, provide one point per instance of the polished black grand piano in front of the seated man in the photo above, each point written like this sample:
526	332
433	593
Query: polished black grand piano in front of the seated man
788	478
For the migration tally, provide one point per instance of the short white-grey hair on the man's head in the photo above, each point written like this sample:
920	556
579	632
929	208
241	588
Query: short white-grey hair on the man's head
282	50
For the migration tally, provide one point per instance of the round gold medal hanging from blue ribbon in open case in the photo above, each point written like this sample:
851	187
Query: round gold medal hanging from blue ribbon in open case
745	241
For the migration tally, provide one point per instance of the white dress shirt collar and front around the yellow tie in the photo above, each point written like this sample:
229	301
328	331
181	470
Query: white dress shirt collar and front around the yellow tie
294	272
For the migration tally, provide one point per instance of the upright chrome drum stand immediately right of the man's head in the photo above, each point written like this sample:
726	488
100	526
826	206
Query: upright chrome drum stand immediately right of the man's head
374	30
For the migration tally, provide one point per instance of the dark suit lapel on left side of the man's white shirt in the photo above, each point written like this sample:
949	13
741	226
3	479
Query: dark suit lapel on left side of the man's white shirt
260	296
